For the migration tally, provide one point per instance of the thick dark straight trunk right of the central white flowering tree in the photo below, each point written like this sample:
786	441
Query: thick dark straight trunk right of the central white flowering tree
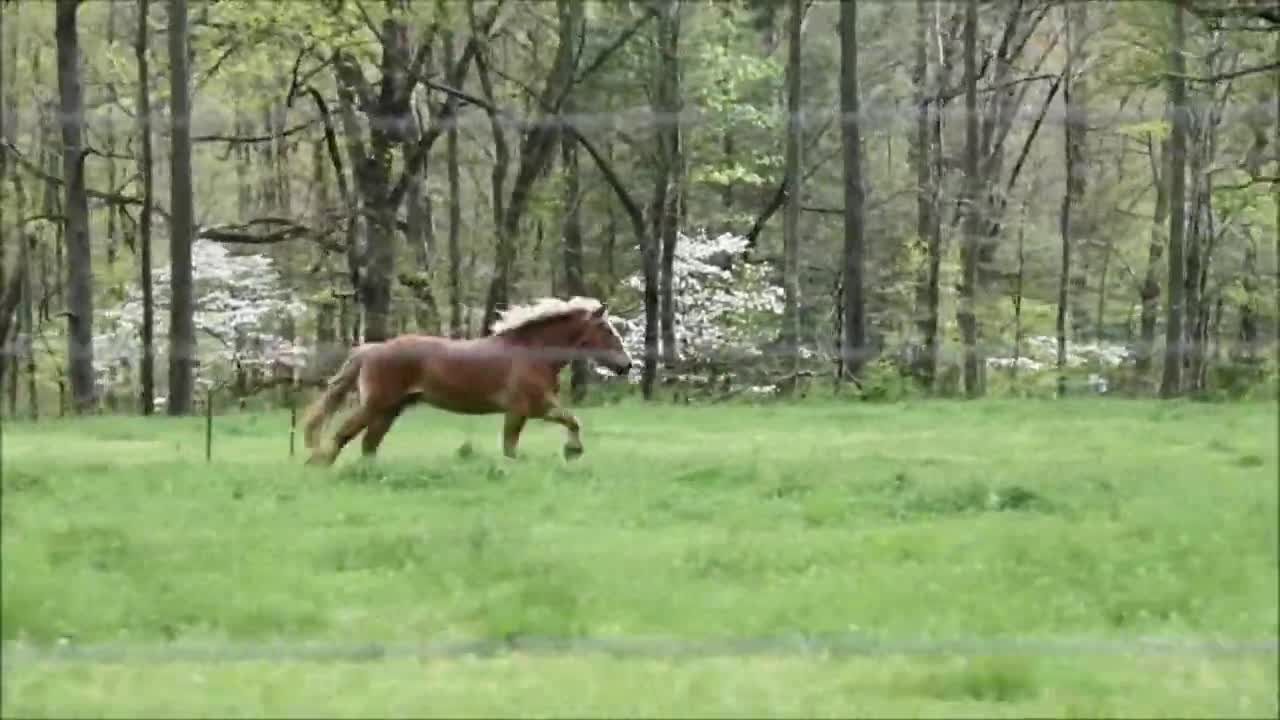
854	345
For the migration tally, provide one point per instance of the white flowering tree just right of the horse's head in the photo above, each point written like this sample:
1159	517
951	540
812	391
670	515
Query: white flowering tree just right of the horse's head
724	308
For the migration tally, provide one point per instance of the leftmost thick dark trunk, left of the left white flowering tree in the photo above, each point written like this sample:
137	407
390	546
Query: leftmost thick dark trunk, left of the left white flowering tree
80	258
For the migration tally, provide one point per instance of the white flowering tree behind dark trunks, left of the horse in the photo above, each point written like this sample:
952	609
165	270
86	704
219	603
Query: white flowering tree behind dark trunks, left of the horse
240	304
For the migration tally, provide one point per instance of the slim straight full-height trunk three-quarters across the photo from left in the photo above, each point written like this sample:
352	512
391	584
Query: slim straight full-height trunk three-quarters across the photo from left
967	307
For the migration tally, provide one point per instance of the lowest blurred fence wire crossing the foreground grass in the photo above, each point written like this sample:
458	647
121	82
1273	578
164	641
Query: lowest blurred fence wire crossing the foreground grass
824	646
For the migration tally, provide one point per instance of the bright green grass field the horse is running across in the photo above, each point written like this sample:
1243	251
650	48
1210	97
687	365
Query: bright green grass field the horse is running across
1082	528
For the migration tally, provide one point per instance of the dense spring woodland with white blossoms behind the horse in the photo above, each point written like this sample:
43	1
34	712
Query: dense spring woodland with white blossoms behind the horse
892	198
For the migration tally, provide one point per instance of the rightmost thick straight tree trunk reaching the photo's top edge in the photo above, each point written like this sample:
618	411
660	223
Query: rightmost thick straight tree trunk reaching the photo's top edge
1171	385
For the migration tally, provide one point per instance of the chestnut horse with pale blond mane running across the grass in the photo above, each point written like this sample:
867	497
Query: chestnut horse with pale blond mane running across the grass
515	371
